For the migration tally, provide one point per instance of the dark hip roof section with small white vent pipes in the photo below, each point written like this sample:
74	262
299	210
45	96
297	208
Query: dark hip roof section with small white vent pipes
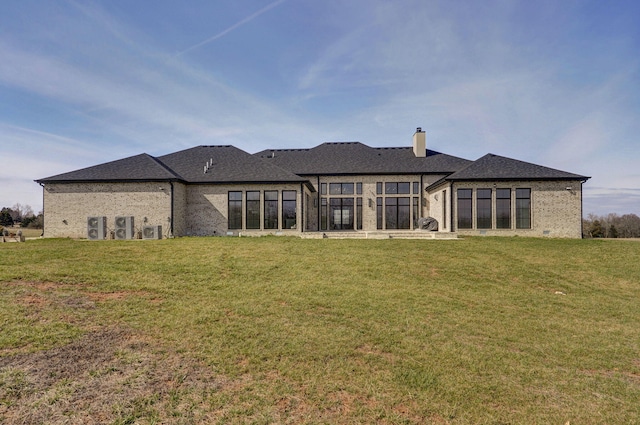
229	165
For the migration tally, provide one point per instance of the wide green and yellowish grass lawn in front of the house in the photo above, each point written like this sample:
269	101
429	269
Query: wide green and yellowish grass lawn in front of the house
284	330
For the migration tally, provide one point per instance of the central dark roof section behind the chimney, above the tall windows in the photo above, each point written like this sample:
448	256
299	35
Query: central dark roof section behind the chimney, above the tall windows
358	158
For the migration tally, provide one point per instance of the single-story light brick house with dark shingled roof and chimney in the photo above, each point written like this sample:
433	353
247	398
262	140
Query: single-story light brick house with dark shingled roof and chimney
333	187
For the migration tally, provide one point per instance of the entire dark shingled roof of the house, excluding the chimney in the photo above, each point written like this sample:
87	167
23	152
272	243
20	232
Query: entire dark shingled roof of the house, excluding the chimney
228	164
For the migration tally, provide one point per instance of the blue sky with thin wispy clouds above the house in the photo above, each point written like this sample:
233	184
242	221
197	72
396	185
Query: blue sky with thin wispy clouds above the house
555	83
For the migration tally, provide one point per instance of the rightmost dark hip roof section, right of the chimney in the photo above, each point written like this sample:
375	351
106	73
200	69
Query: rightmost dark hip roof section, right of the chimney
495	167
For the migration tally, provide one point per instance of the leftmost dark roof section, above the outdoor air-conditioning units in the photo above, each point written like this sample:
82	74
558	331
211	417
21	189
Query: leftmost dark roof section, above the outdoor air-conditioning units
141	167
